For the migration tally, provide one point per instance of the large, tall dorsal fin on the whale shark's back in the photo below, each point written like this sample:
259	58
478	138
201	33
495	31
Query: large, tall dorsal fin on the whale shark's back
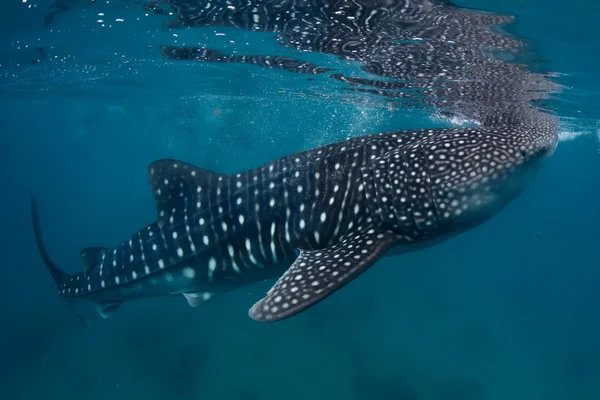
177	185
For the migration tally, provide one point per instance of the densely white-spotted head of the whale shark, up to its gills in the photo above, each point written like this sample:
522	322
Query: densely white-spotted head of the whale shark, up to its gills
452	181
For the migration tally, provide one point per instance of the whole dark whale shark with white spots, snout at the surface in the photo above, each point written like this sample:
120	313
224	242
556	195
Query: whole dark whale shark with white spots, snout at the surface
315	220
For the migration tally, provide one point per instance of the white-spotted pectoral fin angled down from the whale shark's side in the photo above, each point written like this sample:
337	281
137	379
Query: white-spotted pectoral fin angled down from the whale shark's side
318	273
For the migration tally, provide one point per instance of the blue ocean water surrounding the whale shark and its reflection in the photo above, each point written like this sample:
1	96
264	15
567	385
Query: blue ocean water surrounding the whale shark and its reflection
505	311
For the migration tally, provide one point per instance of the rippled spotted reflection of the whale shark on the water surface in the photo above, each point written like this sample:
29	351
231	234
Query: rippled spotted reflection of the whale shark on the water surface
436	54
